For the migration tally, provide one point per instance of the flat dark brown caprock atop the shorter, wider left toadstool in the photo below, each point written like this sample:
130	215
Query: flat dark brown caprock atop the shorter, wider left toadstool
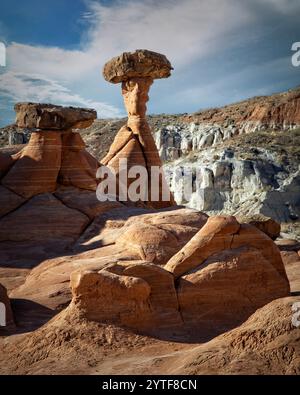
51	117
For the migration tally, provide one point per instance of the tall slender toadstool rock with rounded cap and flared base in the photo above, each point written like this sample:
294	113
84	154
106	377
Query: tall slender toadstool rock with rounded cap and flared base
134	142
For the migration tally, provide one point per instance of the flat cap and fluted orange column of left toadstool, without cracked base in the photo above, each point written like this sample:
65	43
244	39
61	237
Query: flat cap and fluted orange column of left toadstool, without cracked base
54	154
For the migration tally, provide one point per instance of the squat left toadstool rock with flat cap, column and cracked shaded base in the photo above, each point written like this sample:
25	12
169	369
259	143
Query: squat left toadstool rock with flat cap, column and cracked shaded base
47	190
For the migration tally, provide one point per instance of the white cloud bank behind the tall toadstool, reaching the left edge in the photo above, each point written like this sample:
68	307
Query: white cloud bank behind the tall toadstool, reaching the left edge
183	30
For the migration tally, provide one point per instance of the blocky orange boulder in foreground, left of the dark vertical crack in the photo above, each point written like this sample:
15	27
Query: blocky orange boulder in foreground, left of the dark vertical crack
139	296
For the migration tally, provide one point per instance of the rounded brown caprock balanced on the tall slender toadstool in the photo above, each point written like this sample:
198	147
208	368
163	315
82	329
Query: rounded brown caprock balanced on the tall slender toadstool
141	63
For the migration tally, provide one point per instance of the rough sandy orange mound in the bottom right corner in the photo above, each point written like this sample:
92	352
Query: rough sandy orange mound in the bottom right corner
266	343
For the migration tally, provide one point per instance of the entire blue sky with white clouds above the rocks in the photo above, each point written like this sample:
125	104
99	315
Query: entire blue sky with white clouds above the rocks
222	51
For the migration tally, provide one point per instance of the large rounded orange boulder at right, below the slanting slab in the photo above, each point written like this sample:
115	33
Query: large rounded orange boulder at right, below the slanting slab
228	287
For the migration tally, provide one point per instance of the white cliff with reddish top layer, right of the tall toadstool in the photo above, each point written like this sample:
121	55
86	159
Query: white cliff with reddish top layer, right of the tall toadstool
246	156
